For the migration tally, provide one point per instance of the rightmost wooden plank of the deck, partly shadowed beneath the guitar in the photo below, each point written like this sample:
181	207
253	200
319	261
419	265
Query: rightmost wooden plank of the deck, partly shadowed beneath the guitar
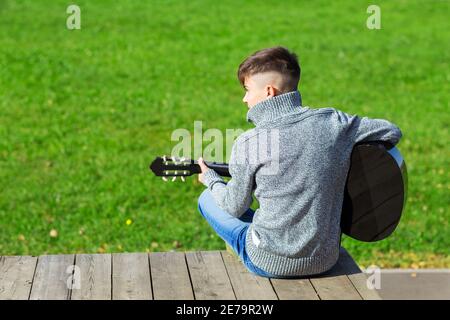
356	276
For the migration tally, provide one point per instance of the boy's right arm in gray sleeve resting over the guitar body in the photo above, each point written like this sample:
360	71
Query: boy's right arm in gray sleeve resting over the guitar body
366	129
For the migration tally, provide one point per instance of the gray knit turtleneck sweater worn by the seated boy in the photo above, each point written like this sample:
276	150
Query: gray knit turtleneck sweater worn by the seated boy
295	161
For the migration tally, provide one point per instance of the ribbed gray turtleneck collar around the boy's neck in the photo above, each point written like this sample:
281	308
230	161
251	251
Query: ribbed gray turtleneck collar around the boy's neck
274	107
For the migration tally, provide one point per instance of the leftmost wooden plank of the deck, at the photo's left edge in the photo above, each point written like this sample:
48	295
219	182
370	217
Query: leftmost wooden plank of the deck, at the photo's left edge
16	276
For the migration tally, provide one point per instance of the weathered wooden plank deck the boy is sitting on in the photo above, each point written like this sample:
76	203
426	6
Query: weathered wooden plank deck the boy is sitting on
170	275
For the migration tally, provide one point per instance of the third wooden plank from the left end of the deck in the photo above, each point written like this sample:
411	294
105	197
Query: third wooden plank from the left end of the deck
94	277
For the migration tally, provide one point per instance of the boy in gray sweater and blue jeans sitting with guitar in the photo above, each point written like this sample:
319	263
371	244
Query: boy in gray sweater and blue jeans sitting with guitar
296	229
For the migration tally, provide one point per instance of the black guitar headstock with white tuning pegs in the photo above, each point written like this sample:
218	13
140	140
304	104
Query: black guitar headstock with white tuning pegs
173	167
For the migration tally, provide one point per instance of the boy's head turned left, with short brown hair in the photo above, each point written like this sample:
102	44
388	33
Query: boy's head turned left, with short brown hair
267	73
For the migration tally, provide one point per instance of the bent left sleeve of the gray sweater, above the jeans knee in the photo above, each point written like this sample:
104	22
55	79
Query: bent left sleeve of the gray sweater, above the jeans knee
235	197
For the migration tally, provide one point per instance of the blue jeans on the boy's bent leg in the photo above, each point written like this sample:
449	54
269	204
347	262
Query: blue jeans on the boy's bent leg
232	230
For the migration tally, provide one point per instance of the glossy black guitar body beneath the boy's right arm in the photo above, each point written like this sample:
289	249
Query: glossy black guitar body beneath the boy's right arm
375	192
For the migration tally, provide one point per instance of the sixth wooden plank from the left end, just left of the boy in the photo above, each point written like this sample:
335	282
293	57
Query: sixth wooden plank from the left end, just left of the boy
209	276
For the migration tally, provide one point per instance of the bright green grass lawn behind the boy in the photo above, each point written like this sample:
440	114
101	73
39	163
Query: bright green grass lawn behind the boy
84	112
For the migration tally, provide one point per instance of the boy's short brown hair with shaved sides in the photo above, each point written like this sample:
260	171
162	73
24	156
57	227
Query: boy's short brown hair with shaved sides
278	59
